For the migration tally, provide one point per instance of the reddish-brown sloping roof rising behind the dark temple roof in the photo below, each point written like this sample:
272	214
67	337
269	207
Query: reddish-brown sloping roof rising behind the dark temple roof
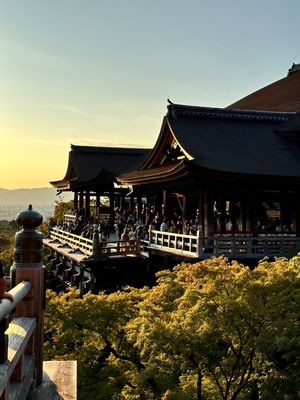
282	95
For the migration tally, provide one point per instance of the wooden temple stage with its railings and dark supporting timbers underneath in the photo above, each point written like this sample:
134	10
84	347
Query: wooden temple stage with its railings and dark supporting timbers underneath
93	265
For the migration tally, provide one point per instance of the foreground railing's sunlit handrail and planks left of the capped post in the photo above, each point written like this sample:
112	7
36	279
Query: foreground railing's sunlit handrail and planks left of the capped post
17	357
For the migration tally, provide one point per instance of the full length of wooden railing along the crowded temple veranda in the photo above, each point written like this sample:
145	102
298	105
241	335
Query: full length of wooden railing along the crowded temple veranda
193	246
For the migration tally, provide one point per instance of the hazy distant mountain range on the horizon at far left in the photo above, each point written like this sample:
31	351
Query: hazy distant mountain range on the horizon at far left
31	196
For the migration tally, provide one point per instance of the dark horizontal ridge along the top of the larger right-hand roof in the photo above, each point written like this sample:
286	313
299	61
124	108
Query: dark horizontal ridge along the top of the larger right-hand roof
181	110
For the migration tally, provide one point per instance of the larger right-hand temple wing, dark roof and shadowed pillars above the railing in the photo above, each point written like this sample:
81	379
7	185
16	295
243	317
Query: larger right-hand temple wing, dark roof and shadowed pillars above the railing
232	170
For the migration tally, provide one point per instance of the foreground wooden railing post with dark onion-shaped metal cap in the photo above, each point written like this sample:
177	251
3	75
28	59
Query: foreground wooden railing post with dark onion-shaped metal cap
28	266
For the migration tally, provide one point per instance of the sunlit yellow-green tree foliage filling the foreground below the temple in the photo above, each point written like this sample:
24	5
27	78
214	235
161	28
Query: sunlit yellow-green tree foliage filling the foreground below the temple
210	330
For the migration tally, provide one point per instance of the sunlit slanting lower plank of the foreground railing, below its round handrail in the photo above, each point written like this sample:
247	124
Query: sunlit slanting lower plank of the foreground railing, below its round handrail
19	333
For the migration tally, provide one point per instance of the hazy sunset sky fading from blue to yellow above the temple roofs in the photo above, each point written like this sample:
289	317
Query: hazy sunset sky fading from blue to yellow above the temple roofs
98	72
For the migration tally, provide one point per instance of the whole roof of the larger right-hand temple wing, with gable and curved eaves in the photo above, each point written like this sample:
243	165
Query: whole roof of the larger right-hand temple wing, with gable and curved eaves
224	141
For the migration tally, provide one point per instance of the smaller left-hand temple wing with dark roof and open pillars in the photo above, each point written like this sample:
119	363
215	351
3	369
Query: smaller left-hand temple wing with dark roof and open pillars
91	175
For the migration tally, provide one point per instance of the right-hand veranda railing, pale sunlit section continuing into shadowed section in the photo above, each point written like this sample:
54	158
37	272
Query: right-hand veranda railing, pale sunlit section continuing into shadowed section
233	246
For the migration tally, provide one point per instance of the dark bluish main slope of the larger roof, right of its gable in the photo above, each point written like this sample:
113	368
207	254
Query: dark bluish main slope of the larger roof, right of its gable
235	141
